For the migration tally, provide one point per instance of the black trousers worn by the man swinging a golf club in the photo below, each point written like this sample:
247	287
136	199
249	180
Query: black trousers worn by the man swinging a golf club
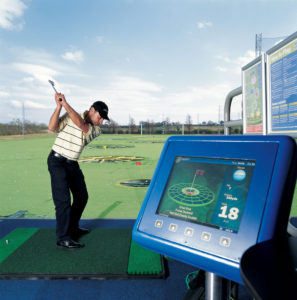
66	177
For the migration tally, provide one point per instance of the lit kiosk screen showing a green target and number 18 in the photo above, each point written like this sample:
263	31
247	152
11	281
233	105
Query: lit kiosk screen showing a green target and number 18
207	191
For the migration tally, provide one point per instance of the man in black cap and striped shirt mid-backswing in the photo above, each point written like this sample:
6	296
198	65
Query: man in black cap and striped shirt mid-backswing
75	132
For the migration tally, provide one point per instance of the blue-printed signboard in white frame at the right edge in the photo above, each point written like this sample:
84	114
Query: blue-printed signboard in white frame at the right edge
282	87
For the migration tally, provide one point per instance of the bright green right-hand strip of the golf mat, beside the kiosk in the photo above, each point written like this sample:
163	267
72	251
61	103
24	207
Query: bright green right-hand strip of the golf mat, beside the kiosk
143	261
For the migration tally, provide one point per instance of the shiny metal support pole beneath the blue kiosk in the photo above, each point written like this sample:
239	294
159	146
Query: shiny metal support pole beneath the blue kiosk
216	287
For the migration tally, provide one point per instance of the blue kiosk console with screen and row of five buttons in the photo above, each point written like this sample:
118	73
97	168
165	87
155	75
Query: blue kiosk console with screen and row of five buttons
213	197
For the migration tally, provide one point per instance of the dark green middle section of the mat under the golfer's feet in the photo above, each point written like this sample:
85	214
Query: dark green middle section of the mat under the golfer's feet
105	255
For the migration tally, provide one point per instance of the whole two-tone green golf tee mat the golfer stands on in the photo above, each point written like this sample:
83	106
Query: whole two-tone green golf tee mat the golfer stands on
110	253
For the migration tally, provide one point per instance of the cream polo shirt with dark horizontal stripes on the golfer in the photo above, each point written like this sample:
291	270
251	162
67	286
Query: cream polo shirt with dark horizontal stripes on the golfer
71	139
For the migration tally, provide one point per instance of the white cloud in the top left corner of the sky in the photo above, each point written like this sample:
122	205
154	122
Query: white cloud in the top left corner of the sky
9	11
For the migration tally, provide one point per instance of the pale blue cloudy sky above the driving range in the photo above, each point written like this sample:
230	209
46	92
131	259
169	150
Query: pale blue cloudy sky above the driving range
147	59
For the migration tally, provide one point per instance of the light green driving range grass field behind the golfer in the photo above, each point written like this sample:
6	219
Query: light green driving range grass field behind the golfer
25	181
